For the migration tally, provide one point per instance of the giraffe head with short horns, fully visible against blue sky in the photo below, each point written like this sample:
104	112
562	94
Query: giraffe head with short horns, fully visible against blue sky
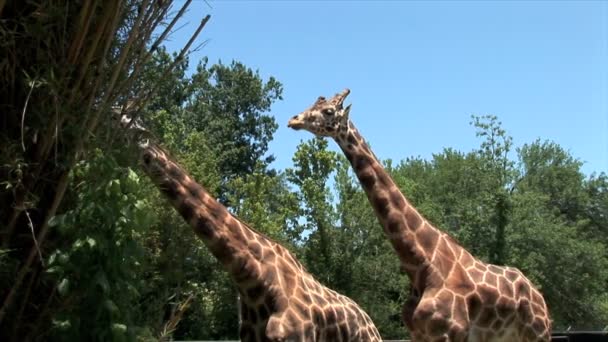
324	118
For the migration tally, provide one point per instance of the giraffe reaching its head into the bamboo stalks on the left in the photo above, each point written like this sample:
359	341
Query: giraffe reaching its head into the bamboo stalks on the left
280	300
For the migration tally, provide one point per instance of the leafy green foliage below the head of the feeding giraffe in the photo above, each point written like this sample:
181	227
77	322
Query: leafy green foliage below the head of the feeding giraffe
99	265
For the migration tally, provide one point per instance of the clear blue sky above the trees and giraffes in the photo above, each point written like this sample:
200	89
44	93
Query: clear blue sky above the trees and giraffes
418	70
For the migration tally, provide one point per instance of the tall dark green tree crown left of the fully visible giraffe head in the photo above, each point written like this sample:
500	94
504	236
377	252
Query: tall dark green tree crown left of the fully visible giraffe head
227	103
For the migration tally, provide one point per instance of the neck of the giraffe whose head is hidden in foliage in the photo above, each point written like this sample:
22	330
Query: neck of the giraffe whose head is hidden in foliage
237	246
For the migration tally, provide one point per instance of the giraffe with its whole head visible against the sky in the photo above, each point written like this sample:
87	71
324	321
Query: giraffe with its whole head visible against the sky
453	295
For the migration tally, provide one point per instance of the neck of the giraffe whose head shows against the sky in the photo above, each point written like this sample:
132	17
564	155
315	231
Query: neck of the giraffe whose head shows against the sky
413	238
